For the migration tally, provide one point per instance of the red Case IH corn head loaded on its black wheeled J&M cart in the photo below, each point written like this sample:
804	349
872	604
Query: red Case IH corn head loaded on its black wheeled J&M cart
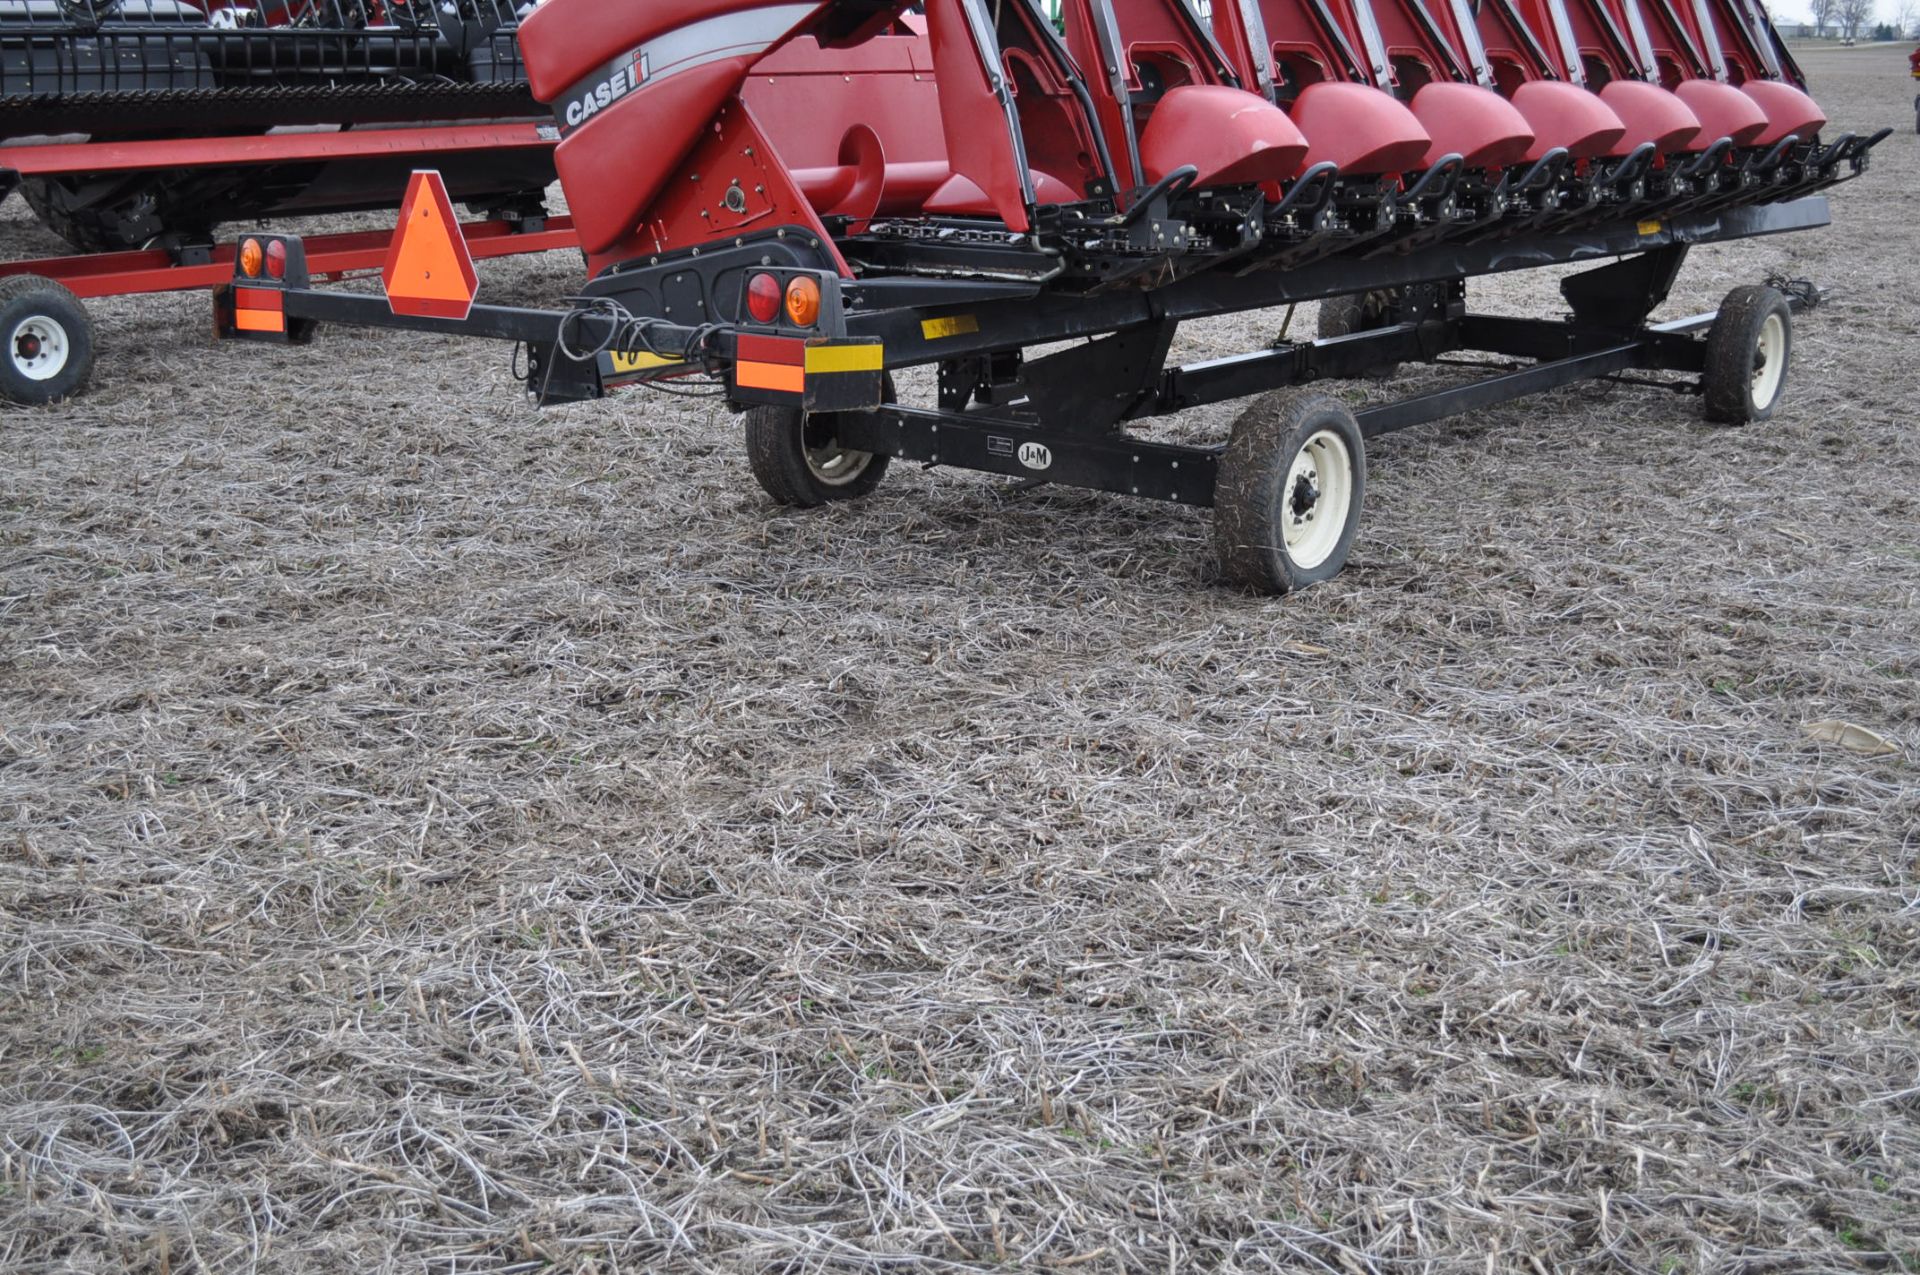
790	203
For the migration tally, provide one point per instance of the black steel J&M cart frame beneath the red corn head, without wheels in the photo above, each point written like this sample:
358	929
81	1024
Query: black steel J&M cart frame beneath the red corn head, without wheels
1063	416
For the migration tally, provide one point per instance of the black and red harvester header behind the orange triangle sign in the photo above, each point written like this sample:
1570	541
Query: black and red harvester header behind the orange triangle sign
204	87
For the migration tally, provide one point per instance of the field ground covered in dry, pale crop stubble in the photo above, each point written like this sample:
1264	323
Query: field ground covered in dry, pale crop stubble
441	836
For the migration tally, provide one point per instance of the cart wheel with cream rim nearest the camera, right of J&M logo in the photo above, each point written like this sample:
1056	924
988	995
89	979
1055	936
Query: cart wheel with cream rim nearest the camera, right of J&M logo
1289	494
